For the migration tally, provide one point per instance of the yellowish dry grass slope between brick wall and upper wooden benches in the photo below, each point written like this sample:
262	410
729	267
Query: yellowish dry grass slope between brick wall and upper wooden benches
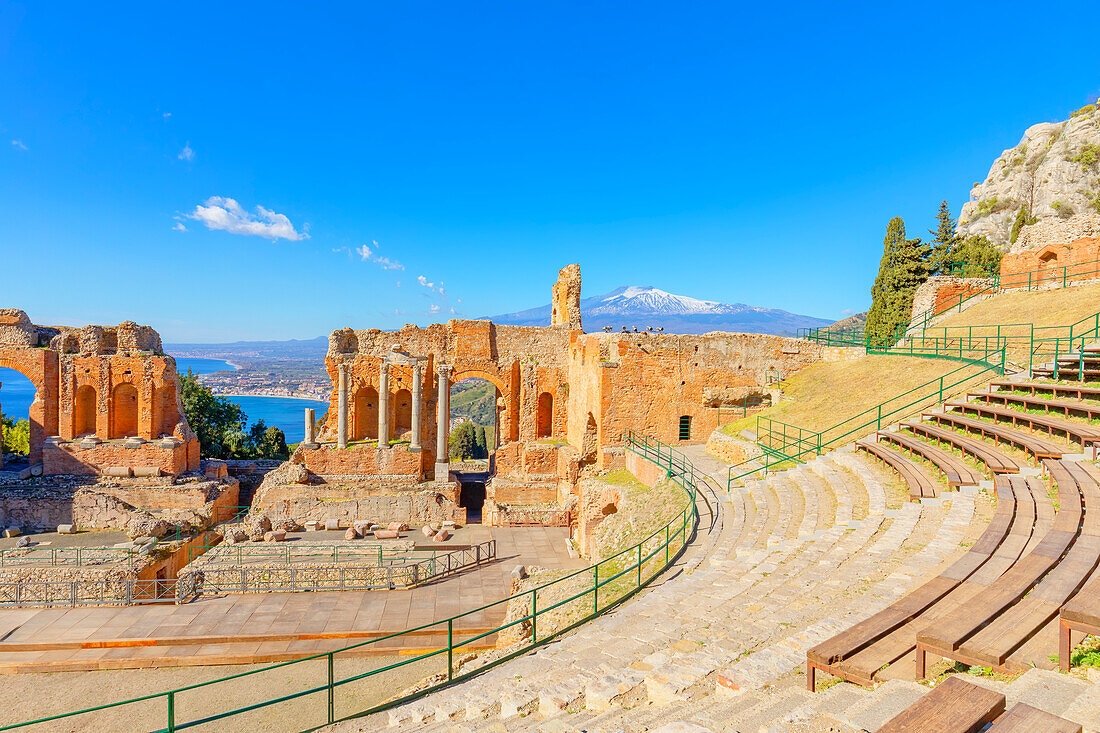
826	393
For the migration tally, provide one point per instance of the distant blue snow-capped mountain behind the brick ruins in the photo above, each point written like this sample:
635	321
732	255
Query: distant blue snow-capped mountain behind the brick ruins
644	308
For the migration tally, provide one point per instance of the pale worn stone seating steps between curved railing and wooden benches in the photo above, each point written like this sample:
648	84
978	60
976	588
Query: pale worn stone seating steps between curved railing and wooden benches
720	642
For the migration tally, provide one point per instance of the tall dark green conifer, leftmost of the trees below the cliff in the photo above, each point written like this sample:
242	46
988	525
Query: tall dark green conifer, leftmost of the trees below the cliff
905	266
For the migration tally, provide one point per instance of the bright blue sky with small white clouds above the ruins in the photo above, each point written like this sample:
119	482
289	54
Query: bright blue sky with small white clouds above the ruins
736	154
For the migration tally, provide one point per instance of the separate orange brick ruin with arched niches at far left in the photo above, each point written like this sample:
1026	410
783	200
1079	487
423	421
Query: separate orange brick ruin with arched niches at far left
107	398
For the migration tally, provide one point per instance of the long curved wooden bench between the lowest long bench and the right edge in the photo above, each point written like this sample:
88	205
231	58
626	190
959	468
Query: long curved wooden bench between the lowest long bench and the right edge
994	625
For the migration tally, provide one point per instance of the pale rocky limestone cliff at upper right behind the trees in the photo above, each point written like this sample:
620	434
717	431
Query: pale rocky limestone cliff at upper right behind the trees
1053	173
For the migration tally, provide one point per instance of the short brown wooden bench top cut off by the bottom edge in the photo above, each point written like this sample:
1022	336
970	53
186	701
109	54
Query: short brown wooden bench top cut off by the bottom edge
955	706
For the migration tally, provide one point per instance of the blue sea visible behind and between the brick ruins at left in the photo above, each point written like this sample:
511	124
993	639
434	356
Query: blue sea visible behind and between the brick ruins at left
17	393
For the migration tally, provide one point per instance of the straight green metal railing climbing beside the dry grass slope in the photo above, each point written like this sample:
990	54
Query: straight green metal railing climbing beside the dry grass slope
784	444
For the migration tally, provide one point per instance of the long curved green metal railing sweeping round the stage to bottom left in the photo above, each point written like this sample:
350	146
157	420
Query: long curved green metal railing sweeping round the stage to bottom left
327	696
